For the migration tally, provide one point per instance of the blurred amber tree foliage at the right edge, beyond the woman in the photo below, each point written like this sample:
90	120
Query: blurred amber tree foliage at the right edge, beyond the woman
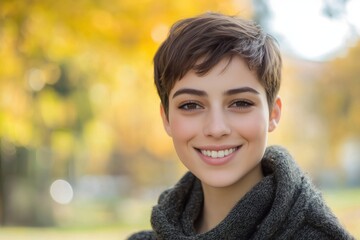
338	98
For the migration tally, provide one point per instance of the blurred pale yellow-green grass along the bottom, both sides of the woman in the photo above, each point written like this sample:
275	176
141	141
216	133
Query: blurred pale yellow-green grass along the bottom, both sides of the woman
344	203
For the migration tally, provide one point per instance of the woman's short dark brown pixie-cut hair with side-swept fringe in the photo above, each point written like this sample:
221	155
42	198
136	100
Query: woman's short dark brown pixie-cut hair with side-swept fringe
199	43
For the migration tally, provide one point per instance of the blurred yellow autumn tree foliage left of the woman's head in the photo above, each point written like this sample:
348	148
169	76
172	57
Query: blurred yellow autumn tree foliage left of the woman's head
76	87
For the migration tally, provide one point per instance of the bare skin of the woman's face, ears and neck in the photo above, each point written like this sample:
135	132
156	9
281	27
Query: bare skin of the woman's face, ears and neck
219	124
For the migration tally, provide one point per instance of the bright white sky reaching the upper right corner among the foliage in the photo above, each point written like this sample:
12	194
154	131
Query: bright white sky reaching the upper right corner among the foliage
304	30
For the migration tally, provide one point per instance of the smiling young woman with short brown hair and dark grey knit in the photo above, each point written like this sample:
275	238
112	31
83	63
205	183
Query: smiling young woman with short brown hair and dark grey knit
218	78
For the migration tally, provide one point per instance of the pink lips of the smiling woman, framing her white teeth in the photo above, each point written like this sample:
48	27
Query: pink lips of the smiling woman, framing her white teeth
219	160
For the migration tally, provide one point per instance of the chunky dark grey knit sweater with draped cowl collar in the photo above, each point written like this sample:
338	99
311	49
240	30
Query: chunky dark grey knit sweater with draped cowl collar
283	205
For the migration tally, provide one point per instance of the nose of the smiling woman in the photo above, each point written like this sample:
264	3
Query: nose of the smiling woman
216	124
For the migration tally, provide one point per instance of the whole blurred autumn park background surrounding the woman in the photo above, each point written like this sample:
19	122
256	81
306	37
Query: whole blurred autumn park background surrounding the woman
83	154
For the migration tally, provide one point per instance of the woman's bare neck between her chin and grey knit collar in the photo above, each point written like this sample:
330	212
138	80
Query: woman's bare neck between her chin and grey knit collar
218	202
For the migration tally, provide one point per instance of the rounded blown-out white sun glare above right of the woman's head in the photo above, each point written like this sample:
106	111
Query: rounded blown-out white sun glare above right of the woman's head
306	31
